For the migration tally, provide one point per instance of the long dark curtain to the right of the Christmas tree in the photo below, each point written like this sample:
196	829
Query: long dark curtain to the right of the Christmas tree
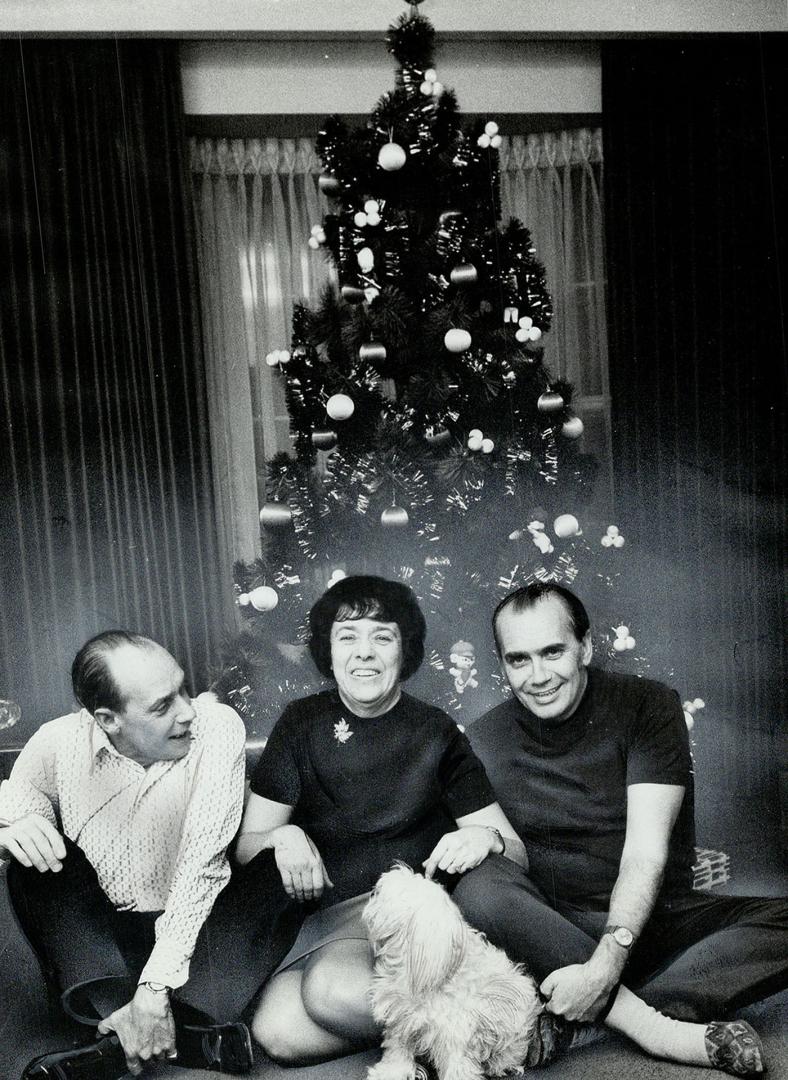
696	188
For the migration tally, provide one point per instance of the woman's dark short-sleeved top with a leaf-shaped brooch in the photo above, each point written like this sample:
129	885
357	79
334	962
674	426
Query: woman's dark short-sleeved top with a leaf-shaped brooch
370	791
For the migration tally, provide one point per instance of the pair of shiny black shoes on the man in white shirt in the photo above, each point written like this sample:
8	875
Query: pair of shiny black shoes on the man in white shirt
221	1048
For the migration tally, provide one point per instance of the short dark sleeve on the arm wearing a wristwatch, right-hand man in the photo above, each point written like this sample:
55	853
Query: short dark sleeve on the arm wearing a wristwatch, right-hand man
659	750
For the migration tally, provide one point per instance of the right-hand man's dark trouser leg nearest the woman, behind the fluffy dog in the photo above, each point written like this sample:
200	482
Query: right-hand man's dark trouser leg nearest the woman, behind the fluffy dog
499	899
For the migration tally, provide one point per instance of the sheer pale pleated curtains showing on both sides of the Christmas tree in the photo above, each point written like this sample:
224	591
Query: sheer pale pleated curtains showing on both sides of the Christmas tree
256	201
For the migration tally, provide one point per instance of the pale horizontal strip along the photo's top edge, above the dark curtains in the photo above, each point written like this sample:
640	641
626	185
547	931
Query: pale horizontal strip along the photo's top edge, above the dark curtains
346	18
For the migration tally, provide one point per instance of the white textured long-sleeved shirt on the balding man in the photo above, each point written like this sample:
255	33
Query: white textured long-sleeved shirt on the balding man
157	836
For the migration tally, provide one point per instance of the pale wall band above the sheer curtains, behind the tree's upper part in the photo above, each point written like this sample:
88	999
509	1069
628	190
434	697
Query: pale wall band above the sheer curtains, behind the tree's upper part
315	77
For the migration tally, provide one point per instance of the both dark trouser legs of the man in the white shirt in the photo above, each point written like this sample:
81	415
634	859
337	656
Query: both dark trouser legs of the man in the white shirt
79	937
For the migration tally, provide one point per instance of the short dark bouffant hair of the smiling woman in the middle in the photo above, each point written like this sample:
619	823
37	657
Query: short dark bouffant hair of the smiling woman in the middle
368	597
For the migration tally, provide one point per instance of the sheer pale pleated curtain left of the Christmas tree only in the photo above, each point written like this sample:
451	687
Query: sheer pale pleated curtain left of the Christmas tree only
255	201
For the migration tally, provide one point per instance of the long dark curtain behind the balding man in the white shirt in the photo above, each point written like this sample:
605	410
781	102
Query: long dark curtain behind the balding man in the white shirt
106	494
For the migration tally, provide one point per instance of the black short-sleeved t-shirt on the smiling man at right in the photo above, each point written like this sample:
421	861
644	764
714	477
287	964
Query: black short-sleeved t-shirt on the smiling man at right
564	787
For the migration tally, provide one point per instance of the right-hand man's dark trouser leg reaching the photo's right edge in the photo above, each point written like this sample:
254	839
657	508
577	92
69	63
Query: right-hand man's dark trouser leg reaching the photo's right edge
703	957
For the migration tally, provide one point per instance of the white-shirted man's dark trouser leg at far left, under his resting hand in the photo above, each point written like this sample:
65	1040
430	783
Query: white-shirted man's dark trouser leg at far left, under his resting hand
70	922
